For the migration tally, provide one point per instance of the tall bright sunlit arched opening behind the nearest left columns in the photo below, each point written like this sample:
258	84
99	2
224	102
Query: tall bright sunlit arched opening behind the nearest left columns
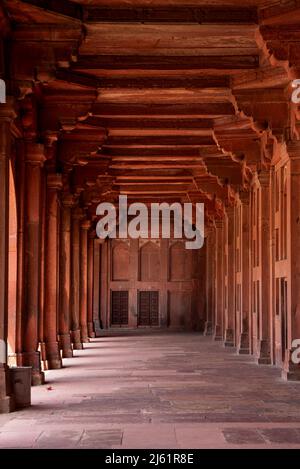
12	269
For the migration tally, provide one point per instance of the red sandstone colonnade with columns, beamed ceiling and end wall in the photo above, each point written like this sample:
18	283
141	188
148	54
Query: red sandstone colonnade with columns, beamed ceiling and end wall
197	109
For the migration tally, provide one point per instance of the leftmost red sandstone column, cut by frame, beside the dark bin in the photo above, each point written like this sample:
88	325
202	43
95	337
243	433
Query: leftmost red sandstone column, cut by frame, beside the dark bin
6	116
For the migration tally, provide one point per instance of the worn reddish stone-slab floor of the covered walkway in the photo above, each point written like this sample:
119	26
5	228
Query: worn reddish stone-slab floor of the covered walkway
158	391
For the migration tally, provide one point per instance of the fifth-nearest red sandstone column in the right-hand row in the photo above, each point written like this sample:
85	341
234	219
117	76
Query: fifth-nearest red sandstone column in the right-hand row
219	288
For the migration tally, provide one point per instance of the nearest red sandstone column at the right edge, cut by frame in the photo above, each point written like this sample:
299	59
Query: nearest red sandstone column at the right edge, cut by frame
291	370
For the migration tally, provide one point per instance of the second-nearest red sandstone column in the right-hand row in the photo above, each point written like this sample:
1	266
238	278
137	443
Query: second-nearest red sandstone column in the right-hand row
264	356
